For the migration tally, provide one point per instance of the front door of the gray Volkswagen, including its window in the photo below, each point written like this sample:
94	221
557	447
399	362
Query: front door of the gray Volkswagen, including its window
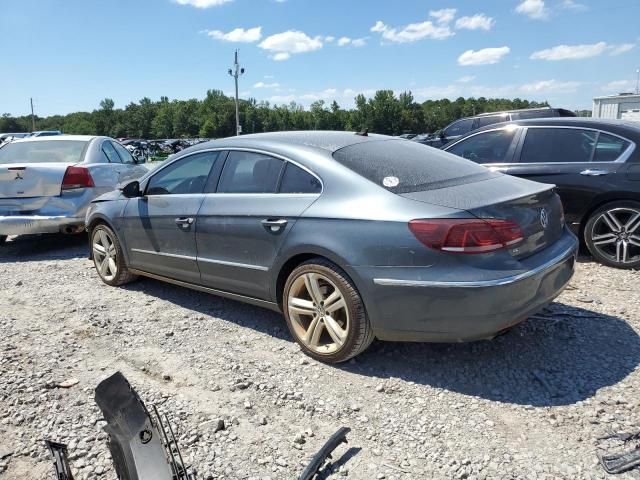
160	227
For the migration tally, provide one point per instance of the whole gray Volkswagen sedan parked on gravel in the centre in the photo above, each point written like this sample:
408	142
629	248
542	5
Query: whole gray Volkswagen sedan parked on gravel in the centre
353	237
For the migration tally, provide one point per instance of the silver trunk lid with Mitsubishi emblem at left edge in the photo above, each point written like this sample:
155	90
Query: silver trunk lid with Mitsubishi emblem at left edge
31	180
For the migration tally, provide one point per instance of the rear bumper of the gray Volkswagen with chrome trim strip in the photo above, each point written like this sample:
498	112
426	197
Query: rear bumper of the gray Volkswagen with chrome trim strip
415	307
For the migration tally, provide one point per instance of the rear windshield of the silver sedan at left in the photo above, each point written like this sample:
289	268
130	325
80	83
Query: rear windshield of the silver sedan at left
56	151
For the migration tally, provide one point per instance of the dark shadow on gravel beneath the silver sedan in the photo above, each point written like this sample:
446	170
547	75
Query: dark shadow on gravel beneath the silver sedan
31	248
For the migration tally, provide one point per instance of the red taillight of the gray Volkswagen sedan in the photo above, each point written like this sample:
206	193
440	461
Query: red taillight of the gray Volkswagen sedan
468	235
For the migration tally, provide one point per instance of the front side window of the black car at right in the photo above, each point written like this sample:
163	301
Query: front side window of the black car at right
489	147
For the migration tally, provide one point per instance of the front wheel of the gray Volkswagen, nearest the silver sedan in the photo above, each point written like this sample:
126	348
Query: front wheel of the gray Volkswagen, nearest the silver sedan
108	257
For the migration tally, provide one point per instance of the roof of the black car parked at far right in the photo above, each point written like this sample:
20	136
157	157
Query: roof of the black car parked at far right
620	127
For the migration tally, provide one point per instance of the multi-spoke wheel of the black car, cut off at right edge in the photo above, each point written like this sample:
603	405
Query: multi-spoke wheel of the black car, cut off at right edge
612	234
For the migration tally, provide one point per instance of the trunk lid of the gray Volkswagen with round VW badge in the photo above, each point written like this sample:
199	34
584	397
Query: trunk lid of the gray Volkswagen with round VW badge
534	206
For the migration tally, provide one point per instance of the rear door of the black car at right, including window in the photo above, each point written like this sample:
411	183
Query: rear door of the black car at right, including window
582	163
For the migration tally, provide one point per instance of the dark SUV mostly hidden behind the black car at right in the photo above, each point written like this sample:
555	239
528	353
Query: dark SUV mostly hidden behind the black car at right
461	127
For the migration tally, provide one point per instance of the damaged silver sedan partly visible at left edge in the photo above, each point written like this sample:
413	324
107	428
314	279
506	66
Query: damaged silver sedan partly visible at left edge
47	183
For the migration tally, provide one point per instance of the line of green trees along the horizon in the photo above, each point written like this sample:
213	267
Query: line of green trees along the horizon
214	116
